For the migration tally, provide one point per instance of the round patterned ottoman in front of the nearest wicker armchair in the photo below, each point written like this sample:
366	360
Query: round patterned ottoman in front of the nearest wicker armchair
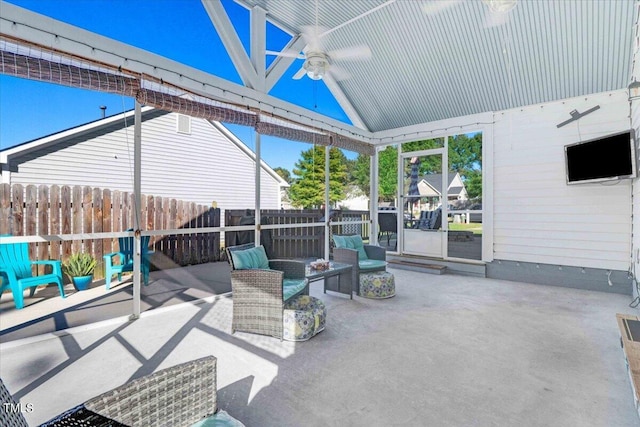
304	316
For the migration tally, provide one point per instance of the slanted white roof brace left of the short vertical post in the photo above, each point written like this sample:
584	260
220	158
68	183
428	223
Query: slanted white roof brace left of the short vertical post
231	42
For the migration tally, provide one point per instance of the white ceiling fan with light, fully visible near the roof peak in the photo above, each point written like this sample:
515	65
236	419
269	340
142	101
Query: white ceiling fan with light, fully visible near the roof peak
319	62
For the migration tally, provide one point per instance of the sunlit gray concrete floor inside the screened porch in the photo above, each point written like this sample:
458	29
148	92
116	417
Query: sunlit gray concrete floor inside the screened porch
446	351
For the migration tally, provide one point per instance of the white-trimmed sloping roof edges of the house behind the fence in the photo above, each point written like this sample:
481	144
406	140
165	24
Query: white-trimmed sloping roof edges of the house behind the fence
50	141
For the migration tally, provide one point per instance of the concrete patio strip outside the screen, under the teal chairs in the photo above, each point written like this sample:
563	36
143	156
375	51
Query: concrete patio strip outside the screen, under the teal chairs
47	312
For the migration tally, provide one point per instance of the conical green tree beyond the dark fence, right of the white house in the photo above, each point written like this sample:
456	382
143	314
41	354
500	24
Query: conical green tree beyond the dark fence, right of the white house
307	190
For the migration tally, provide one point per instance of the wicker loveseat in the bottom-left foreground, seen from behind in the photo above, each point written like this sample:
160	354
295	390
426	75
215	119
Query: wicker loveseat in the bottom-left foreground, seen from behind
183	395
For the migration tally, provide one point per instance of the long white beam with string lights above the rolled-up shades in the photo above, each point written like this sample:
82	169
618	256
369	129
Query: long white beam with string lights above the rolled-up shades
45	31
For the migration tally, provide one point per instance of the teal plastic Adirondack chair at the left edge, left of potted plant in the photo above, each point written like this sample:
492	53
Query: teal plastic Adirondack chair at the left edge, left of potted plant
16	274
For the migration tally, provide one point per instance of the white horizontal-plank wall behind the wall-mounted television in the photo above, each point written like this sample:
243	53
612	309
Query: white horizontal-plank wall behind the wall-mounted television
537	217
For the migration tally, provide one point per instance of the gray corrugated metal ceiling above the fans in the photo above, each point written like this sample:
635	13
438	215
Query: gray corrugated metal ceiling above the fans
429	65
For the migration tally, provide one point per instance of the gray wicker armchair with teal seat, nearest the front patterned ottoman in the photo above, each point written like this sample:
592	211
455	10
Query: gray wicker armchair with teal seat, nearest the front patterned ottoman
259	294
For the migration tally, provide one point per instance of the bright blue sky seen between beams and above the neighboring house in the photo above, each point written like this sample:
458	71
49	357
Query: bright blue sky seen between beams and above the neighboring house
177	29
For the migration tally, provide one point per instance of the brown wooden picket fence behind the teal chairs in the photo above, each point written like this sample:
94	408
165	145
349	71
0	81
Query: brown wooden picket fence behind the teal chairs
47	210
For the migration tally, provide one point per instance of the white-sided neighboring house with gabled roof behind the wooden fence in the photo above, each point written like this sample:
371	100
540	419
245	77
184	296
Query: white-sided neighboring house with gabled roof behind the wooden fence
186	158
